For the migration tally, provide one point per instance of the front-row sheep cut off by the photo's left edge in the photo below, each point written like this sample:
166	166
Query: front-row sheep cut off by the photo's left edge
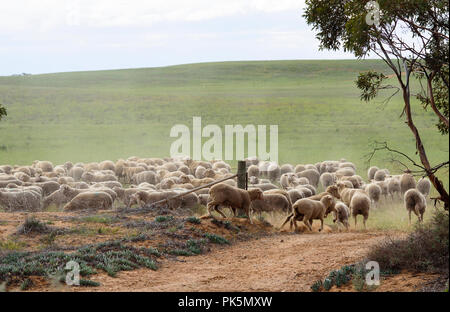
26	200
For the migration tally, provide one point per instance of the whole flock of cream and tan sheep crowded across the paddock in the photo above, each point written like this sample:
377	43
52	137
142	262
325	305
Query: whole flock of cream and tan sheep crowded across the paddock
288	189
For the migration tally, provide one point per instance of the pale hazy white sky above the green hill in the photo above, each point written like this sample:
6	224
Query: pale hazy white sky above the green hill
40	36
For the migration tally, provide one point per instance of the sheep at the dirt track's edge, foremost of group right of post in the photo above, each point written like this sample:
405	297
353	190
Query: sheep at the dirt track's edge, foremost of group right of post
307	210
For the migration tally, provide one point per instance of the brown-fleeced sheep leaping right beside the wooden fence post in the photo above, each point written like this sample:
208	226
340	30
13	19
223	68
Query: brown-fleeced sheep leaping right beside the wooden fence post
235	198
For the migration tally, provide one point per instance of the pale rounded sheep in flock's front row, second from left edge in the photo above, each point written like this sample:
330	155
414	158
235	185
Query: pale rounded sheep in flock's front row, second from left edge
90	200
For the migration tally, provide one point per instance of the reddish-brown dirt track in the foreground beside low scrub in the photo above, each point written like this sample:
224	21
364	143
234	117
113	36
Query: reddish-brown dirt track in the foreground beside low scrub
284	262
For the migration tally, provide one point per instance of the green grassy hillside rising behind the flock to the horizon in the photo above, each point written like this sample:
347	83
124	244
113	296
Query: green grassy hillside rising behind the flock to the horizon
92	116
